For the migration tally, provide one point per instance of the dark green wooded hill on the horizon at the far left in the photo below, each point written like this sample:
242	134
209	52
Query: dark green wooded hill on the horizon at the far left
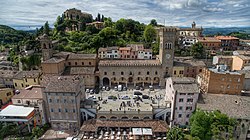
9	35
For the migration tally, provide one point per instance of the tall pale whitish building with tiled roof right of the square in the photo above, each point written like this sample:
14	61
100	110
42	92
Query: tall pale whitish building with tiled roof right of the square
183	93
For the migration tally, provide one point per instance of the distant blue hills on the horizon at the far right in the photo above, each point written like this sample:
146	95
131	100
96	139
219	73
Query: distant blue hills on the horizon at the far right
226	31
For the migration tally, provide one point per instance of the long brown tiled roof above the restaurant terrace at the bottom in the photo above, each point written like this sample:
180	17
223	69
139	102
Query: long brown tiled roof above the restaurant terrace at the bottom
156	125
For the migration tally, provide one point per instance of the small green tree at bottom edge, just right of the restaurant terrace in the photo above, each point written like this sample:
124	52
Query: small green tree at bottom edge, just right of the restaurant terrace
175	133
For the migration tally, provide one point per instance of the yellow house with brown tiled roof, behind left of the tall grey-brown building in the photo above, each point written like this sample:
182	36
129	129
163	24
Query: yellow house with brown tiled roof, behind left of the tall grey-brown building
24	79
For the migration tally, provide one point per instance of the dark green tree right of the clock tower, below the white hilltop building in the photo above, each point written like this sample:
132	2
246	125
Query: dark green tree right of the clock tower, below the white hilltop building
197	50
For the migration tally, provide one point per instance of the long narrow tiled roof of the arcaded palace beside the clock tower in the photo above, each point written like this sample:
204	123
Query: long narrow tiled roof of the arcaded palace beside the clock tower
129	63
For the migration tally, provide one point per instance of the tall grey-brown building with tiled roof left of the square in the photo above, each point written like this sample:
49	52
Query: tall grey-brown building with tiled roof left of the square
62	96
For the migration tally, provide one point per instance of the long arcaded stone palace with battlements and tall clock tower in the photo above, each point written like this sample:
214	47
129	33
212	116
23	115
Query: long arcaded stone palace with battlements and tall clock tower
141	72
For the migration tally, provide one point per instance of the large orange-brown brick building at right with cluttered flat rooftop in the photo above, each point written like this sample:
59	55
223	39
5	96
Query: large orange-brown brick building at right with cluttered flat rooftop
220	81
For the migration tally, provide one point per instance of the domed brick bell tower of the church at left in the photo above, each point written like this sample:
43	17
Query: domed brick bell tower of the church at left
46	45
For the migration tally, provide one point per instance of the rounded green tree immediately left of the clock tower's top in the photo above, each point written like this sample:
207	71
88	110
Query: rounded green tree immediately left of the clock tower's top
149	35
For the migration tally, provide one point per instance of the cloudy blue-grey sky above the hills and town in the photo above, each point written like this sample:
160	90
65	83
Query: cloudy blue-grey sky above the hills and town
206	13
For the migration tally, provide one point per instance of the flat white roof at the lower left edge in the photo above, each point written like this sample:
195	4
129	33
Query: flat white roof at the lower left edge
16	111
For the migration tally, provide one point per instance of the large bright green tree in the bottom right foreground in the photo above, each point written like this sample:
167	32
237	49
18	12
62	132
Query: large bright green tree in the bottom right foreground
208	125
